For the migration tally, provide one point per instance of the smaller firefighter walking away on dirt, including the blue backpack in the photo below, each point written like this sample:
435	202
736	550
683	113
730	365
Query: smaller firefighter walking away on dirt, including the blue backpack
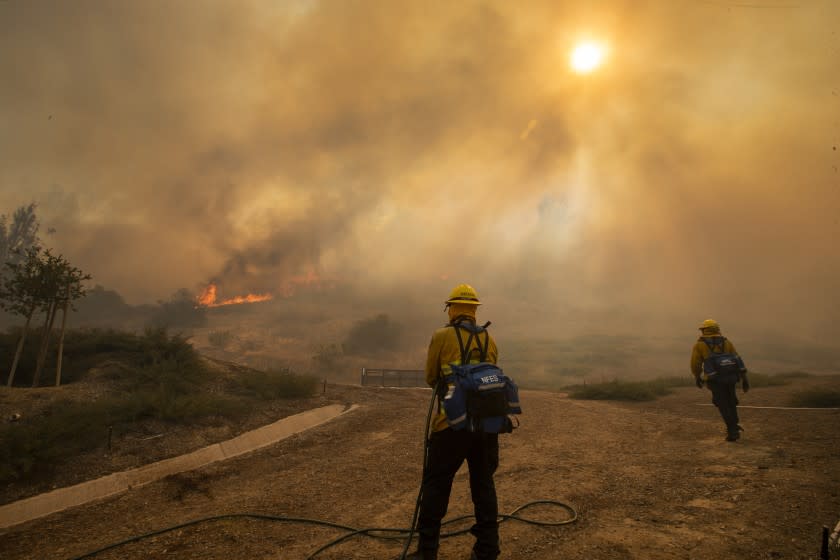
716	363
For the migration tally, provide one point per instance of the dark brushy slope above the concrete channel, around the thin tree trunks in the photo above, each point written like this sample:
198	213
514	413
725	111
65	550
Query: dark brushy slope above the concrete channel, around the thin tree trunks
128	379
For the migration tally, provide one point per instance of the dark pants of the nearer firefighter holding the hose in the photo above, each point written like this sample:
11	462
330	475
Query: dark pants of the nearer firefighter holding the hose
447	451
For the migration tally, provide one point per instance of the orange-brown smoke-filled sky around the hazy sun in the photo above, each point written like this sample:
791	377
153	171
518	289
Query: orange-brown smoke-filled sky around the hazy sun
399	148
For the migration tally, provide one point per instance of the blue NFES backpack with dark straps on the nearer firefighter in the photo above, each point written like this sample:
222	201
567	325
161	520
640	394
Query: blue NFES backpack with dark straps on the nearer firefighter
479	396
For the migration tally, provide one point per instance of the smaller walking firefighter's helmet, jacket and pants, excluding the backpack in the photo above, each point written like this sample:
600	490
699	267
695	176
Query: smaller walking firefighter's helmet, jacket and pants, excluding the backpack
723	394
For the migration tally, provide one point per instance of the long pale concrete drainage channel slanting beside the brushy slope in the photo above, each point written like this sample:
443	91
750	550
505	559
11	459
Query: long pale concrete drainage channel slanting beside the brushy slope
64	498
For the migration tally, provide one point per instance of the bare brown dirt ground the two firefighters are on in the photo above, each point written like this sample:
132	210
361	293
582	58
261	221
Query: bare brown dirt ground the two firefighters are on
650	481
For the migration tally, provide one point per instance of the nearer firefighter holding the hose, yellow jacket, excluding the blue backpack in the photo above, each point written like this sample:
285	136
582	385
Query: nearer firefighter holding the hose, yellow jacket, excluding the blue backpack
448	448
